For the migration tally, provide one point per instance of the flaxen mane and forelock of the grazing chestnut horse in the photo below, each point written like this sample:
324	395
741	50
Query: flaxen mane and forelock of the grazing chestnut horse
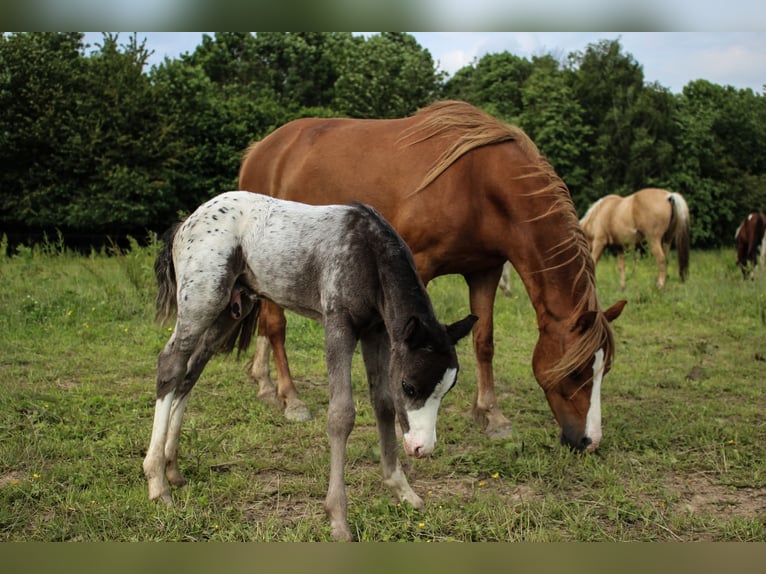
470	128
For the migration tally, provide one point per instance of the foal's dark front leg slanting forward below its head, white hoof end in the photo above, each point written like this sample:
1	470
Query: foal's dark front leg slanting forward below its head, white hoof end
375	351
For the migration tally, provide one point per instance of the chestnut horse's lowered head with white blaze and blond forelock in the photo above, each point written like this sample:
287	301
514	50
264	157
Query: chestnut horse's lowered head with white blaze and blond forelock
570	362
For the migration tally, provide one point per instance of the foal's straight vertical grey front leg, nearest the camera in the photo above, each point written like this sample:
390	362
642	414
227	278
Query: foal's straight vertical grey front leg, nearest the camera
339	349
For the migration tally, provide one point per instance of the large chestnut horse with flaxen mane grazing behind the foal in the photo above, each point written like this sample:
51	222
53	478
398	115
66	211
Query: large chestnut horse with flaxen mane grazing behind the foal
467	193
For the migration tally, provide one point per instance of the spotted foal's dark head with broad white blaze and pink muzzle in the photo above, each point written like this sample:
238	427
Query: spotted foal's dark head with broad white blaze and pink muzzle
423	369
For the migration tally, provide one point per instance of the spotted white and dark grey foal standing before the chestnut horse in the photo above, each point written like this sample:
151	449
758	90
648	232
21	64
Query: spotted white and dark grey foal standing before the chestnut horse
342	265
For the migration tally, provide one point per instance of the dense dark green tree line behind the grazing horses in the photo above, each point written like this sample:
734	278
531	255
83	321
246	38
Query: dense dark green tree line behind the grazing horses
94	142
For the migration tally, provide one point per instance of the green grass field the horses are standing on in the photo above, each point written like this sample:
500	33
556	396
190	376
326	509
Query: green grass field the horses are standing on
683	456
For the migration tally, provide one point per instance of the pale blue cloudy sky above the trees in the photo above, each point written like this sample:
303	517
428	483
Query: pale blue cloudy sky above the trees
672	59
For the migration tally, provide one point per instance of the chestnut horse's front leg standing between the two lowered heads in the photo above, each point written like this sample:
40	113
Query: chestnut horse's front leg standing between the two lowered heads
482	287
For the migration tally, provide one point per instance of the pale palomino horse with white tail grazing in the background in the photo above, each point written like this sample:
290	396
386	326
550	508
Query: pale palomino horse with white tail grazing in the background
657	215
